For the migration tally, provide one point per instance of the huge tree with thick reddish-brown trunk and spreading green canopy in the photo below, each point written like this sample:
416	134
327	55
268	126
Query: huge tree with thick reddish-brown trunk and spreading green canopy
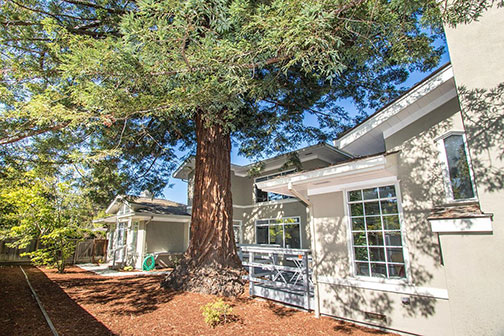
135	79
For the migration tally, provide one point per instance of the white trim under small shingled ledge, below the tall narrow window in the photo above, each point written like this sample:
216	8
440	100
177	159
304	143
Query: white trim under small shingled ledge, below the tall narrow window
475	224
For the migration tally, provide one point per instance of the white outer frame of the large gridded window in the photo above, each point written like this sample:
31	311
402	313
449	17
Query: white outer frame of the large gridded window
351	253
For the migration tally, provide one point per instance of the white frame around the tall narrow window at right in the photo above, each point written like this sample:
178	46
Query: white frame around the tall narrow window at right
446	171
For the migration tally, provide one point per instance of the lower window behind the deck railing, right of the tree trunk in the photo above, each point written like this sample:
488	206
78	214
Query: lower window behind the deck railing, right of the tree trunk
285	232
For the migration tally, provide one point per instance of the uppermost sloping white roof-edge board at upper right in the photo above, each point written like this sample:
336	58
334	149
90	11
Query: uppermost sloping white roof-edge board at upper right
403	102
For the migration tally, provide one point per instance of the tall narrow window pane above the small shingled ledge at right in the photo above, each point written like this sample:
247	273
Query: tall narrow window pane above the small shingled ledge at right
458	173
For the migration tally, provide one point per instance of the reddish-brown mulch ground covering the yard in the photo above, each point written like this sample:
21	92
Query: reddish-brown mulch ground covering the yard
83	303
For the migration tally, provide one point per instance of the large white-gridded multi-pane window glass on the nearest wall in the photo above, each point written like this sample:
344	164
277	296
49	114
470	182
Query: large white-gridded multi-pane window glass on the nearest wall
376	232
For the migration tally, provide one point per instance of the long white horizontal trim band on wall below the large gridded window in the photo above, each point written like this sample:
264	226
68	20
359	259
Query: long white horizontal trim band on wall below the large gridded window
437	293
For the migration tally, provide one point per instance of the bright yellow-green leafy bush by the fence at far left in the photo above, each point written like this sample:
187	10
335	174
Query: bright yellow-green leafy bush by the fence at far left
45	211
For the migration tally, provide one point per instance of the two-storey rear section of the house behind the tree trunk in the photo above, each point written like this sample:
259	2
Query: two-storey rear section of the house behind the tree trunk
261	217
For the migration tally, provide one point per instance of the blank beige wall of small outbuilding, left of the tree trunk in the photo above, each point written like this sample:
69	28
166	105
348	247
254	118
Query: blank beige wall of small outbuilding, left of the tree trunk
166	236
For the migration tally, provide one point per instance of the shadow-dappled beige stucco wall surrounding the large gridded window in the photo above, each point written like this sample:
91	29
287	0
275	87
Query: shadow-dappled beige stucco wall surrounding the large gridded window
421	187
